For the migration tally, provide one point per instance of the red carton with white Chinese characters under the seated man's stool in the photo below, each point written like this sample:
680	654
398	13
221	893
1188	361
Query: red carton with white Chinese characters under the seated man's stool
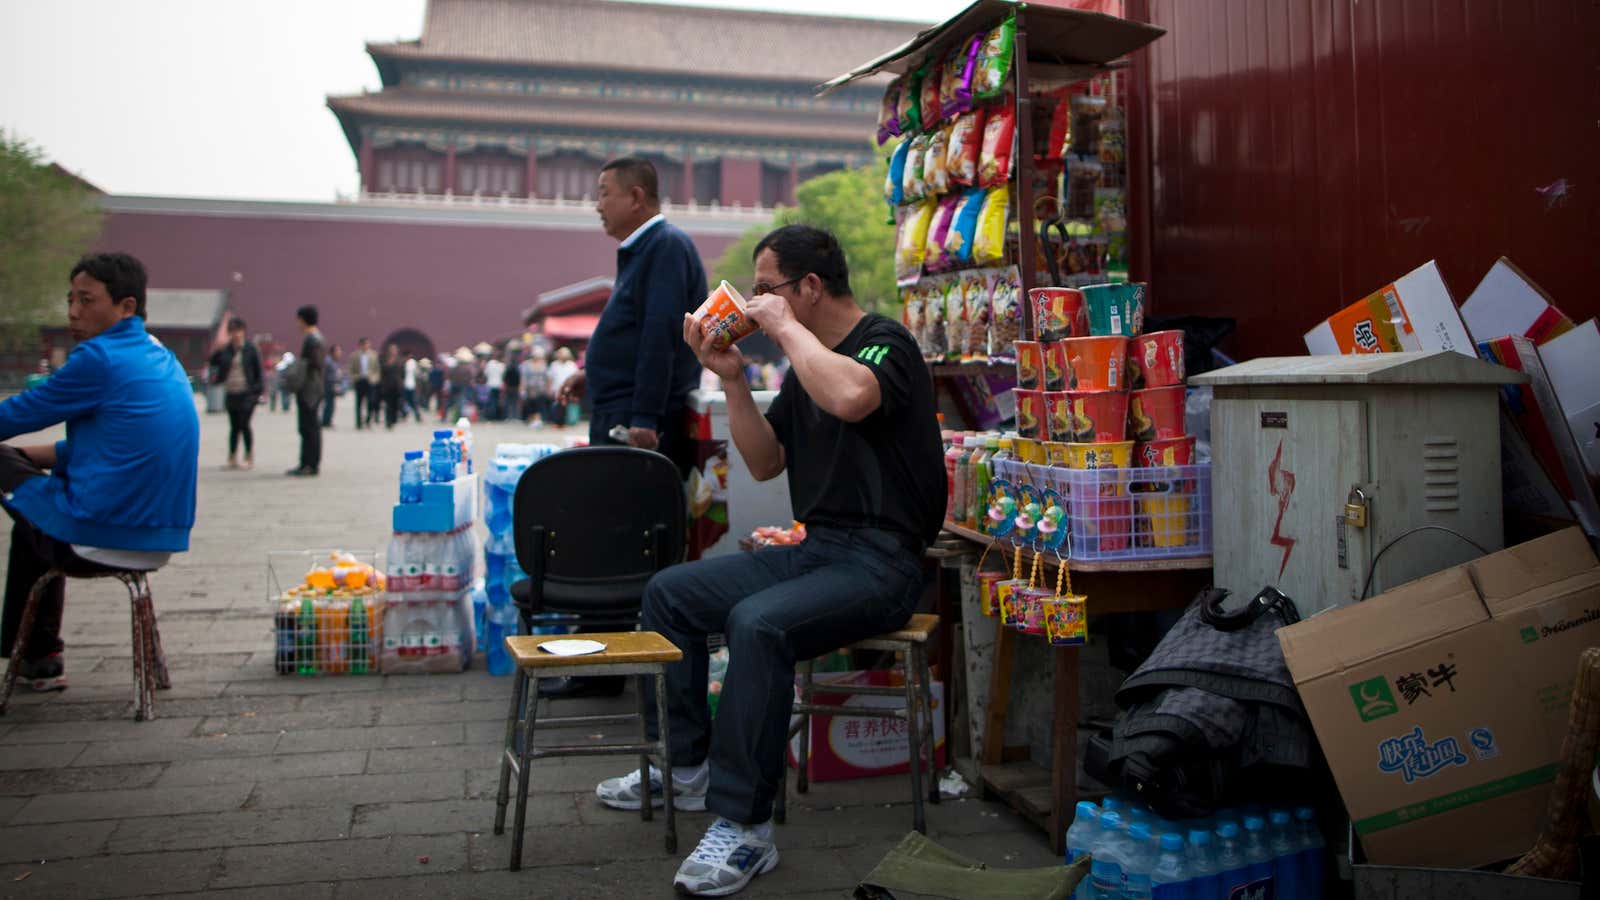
858	747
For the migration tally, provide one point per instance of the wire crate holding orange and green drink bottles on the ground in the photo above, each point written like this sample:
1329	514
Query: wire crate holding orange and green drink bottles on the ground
329	630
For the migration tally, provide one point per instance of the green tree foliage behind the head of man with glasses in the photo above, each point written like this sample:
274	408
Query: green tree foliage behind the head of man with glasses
847	203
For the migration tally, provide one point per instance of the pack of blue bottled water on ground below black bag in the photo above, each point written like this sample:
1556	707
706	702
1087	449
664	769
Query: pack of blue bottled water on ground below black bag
1238	854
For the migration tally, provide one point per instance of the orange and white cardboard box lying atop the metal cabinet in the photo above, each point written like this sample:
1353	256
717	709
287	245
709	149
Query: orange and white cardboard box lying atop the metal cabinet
1415	313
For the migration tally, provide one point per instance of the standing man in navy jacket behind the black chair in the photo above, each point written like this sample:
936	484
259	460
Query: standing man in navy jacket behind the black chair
639	372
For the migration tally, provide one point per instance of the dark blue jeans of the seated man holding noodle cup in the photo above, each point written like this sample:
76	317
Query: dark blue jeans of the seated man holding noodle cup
777	608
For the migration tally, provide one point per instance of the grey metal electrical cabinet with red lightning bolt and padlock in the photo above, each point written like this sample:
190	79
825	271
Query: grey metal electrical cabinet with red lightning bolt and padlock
1319	464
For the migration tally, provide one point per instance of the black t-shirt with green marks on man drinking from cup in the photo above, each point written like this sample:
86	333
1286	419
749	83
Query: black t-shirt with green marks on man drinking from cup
886	472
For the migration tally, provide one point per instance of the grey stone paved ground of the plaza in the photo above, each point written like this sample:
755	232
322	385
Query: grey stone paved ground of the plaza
262	785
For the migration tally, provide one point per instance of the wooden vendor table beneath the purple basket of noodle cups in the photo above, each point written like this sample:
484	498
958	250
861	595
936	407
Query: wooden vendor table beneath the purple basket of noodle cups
1049	798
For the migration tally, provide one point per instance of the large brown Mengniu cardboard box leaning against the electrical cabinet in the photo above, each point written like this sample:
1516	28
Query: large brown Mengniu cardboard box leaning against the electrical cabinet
1442	705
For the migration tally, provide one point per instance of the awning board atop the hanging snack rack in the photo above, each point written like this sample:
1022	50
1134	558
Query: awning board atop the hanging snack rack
1055	38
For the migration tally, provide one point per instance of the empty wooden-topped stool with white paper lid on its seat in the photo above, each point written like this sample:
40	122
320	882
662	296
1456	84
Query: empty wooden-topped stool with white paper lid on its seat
626	654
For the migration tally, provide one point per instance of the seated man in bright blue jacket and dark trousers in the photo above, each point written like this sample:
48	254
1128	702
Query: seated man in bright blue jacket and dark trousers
121	489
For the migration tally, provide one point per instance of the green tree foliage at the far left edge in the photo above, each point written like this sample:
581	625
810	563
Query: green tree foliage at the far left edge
47	220
